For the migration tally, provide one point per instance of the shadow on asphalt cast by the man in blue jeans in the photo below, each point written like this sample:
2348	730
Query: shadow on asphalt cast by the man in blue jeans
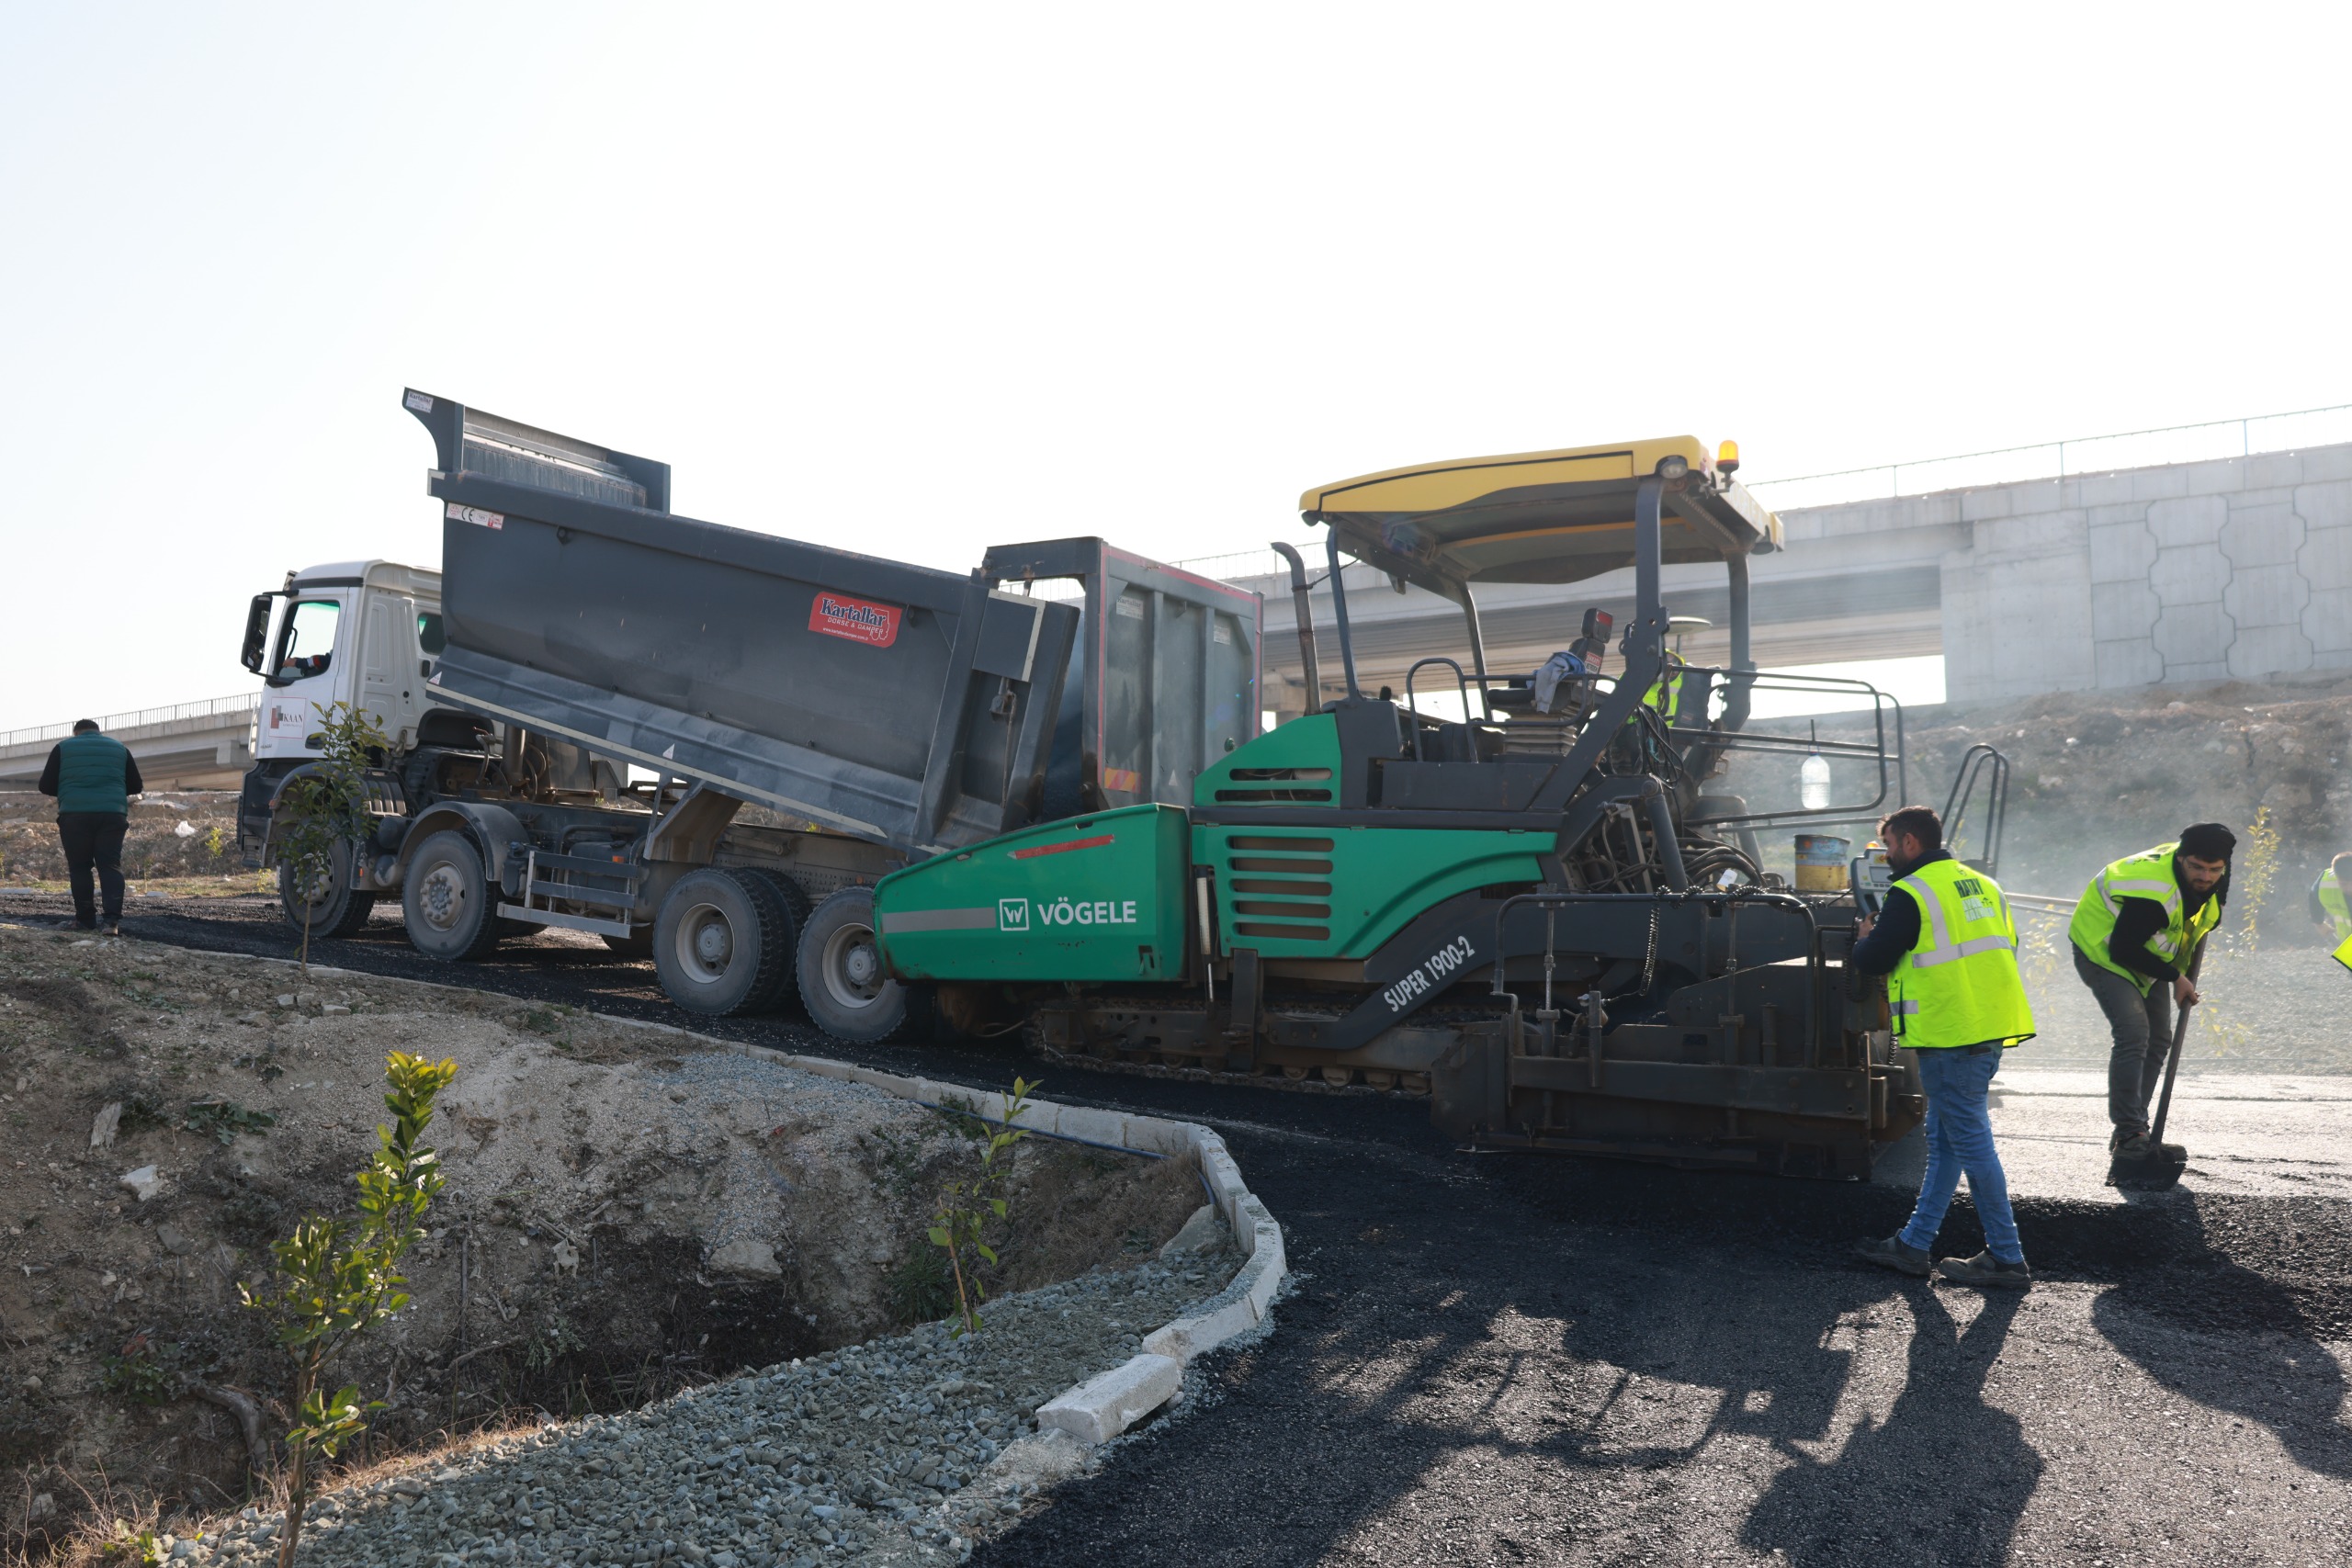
1944	1480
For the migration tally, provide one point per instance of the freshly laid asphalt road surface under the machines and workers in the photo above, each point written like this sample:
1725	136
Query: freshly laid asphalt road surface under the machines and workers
1506	1360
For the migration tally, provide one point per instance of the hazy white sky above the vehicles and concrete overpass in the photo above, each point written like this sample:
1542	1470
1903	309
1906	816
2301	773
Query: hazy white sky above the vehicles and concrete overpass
923	279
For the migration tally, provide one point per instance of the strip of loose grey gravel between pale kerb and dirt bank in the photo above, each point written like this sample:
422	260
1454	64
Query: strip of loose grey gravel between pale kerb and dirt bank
857	1454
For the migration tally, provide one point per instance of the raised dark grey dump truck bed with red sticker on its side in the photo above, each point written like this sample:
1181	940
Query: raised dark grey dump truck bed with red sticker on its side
897	704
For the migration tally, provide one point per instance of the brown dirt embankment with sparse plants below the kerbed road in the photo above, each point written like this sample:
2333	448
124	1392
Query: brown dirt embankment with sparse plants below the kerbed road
622	1214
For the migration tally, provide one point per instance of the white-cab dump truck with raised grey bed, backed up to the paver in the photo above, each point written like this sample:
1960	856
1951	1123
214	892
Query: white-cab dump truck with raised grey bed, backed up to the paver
702	744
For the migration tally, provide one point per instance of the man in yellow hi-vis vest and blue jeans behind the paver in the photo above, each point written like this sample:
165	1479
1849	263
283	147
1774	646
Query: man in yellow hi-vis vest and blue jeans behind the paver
1949	951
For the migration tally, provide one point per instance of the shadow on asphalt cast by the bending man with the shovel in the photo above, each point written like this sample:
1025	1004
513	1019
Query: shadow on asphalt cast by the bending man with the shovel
2271	1367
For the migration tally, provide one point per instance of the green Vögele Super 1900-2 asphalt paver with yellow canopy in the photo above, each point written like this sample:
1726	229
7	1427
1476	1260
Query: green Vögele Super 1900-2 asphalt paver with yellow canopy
1523	904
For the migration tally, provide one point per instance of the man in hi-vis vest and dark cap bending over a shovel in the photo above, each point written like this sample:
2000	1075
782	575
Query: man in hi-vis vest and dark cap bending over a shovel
2137	930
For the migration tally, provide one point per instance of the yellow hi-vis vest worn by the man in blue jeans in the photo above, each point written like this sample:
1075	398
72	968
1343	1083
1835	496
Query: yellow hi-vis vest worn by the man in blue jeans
1960	981
